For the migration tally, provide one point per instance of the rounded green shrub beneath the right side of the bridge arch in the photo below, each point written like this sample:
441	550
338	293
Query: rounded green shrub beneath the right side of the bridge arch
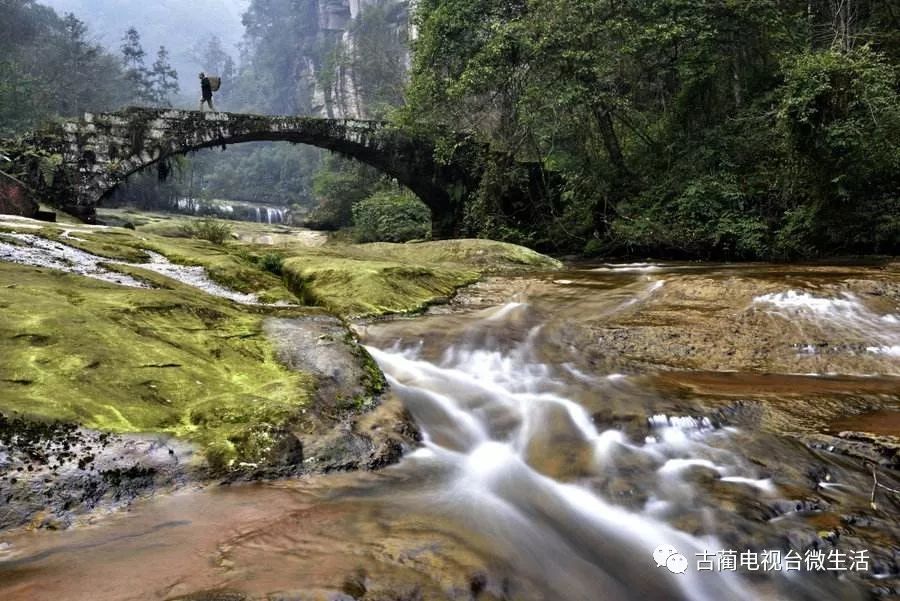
391	217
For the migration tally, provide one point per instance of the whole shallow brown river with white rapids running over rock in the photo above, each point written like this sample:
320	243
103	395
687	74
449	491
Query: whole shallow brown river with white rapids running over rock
571	425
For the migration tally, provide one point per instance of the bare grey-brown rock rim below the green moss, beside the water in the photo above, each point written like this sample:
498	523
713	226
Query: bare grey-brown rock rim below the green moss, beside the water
54	474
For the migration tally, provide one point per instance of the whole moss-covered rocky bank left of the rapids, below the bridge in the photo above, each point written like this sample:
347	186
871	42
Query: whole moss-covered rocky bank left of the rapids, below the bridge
172	359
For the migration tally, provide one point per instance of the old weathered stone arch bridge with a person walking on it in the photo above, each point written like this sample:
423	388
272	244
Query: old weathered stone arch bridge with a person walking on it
93	155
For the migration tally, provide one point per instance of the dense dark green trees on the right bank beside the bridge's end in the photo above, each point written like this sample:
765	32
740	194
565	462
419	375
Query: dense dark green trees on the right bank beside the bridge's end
744	129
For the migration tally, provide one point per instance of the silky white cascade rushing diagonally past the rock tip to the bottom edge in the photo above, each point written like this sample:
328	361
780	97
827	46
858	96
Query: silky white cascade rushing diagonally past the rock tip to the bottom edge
480	413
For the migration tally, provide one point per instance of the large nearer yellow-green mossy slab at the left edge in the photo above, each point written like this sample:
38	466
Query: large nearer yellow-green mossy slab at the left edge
133	360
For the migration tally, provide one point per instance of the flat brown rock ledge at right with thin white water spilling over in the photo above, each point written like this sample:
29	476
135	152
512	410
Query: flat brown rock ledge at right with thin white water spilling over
767	322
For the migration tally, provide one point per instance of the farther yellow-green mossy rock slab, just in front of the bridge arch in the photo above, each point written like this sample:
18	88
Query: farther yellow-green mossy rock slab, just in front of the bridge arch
350	280
